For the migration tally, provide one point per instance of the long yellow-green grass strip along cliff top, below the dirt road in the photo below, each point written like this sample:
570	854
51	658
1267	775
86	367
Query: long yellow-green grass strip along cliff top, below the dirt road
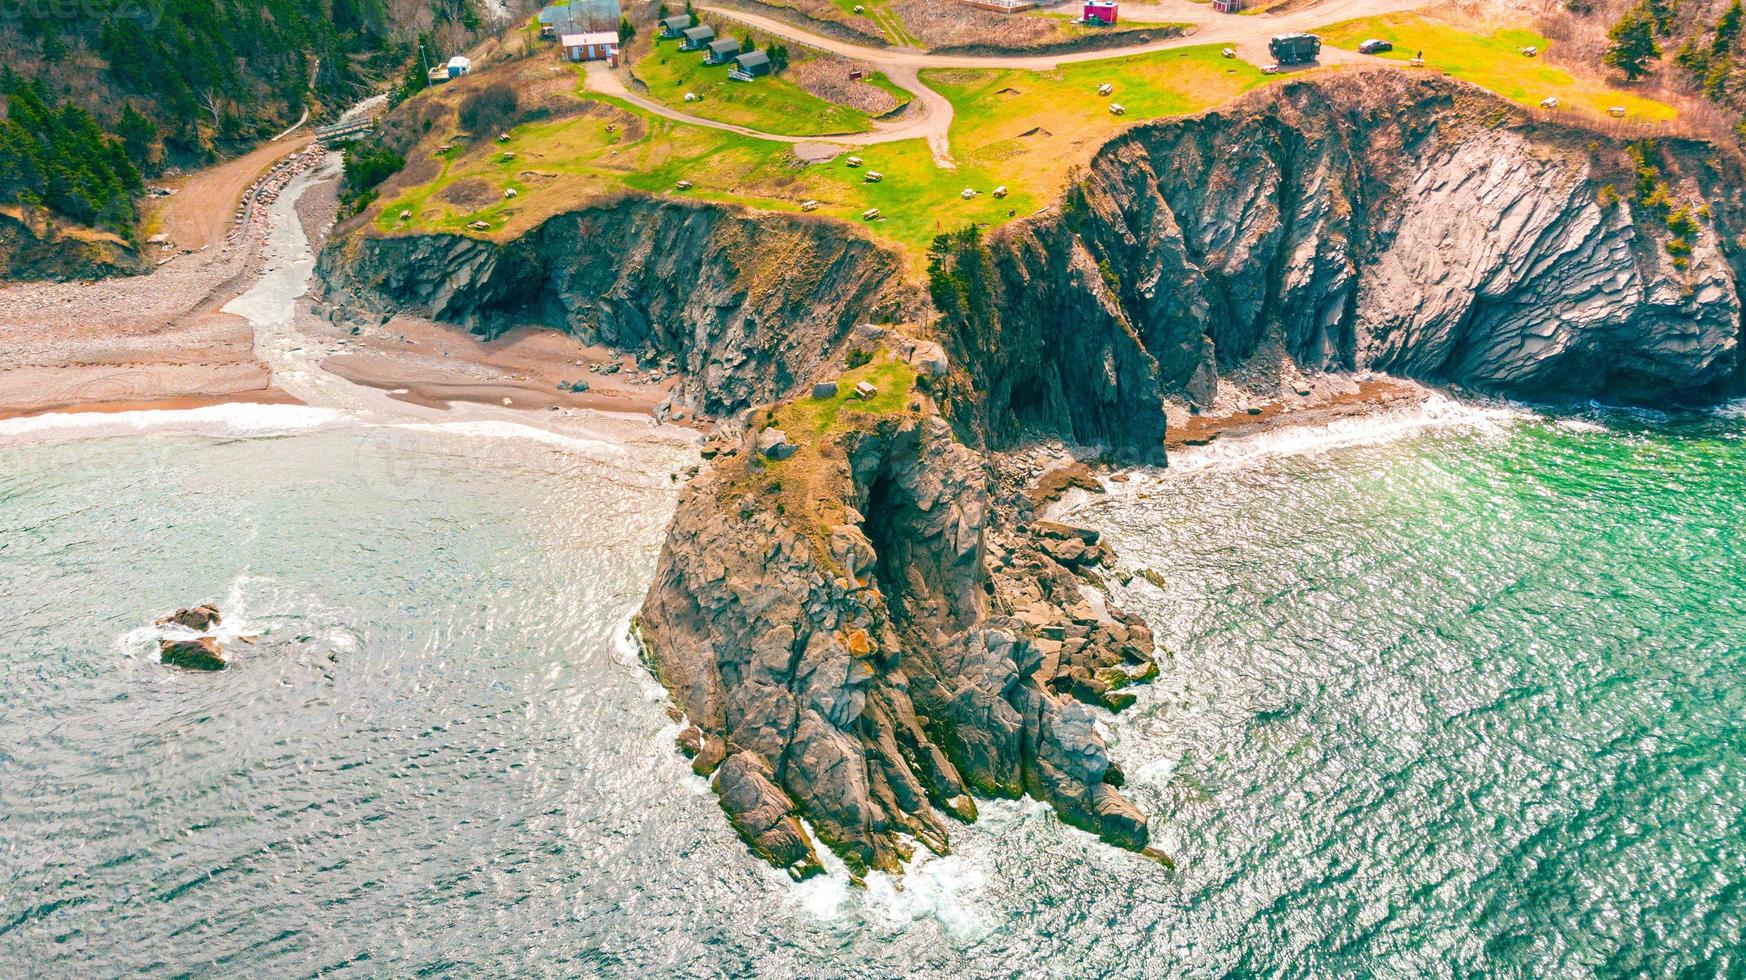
561	165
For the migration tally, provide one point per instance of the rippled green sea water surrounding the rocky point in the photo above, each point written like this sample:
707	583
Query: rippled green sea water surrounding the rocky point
1454	696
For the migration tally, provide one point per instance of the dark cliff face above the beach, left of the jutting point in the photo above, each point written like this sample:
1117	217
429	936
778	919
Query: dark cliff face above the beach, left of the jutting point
746	305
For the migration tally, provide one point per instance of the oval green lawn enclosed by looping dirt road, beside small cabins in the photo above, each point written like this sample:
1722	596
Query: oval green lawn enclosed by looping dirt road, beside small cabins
769	104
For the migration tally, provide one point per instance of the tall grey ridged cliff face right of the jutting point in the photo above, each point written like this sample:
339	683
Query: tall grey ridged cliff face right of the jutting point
1380	223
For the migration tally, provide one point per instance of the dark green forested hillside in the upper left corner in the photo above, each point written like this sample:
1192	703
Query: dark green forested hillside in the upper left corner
102	95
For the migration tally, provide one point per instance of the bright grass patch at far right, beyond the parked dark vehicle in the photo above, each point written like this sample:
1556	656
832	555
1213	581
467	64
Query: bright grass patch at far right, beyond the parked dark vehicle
1494	62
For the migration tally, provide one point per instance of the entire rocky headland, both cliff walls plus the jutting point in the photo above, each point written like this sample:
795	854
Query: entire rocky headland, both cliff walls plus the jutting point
862	611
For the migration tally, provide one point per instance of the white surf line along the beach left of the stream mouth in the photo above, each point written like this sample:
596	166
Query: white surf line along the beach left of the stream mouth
233	420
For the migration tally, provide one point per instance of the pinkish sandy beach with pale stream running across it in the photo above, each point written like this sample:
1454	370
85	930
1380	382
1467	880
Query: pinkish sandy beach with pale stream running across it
240	329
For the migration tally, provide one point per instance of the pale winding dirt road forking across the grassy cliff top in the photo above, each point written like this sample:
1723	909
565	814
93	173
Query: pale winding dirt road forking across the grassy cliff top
930	116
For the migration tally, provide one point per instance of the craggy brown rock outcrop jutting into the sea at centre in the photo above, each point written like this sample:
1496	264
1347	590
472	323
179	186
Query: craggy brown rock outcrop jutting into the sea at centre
876	635
